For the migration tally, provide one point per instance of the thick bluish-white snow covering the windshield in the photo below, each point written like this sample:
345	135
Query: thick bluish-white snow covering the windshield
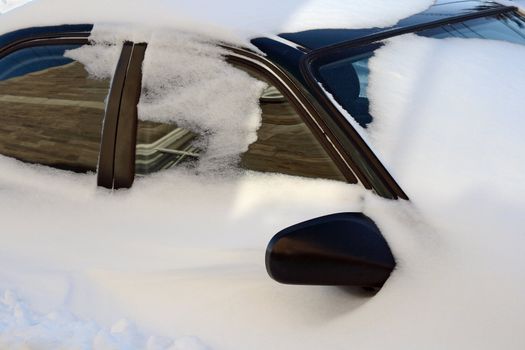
472	103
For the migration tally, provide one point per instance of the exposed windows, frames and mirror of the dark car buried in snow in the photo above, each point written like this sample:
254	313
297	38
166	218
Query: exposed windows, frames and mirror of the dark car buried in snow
72	101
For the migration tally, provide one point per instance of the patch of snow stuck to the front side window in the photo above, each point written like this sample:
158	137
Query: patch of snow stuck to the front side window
186	81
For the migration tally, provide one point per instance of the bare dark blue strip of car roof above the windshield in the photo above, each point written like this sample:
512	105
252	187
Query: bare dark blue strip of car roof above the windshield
442	9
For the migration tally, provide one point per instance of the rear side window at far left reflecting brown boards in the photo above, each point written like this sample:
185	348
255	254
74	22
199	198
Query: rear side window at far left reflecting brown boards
51	111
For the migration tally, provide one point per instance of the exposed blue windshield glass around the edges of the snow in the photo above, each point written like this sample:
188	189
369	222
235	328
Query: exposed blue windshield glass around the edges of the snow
345	77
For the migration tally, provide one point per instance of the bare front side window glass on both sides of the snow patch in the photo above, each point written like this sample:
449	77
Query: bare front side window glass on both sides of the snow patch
284	144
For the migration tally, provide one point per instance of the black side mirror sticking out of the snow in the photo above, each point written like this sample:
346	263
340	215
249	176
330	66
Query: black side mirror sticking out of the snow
344	249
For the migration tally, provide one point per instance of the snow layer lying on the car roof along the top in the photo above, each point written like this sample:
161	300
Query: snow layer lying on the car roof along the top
232	20
